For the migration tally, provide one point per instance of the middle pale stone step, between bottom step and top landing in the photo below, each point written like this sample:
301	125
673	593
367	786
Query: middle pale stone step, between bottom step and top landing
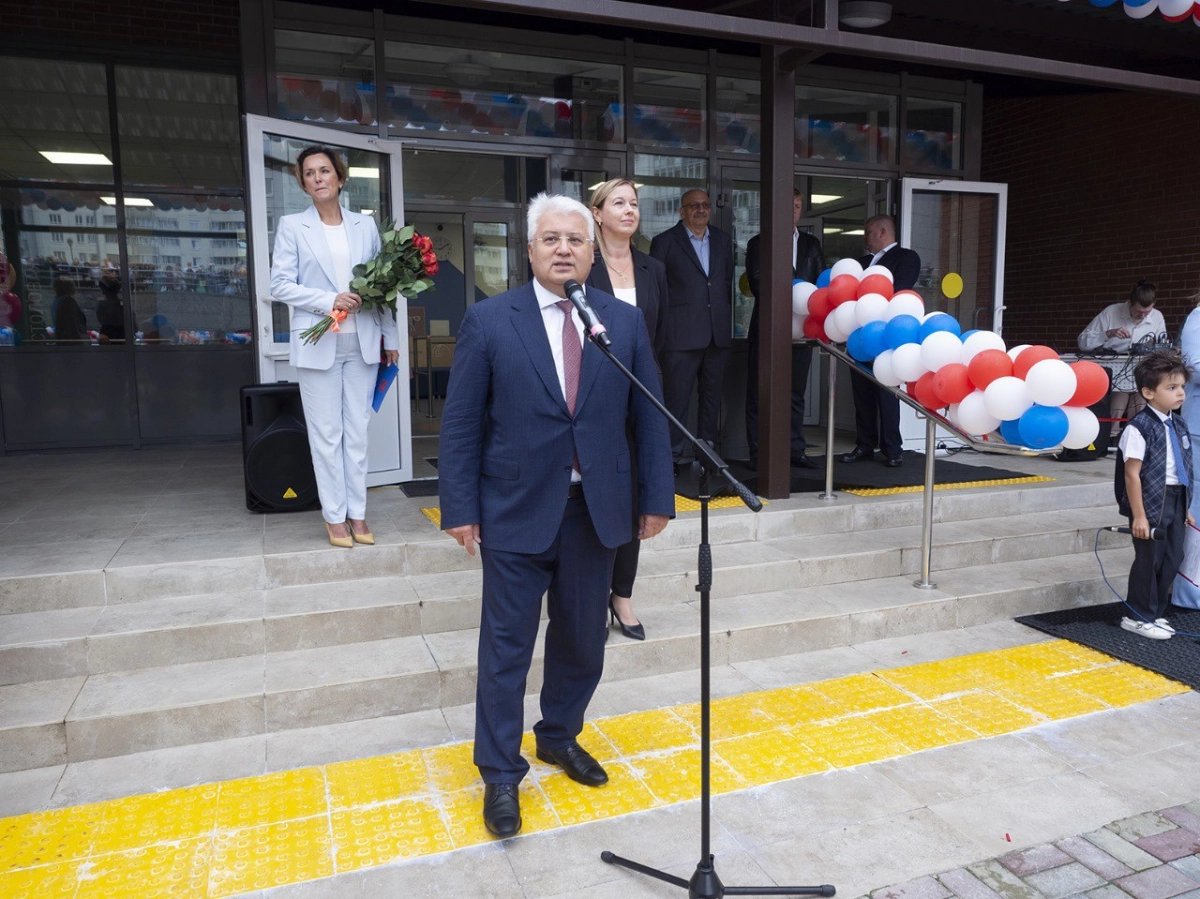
41	646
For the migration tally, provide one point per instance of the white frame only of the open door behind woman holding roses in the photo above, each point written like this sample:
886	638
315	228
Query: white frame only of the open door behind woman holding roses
391	449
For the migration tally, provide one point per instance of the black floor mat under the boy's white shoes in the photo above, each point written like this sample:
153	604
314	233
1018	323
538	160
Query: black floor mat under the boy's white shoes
1100	627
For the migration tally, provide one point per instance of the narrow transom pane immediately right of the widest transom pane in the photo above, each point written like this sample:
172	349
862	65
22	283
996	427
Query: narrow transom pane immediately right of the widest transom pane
669	109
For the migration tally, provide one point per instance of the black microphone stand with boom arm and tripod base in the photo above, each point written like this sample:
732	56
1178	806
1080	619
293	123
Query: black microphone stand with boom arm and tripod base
705	883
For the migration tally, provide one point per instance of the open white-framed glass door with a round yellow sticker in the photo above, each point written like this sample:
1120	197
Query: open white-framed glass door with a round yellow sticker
958	229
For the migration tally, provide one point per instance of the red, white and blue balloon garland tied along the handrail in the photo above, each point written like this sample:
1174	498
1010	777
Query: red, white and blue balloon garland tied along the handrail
1028	393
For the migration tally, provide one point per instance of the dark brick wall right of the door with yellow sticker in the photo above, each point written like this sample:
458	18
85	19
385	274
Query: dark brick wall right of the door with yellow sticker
1105	189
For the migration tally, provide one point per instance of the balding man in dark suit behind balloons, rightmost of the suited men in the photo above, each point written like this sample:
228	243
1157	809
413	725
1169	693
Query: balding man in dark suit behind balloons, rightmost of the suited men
877	410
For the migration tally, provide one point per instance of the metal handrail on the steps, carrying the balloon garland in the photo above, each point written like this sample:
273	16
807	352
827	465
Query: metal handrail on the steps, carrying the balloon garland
933	421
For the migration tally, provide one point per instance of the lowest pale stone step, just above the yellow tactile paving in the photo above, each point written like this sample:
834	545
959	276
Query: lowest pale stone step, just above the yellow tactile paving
111	715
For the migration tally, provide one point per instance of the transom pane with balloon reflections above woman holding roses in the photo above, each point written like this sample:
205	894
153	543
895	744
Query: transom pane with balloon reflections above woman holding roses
326	79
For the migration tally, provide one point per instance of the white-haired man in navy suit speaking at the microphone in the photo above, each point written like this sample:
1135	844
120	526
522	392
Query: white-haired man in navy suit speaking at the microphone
535	468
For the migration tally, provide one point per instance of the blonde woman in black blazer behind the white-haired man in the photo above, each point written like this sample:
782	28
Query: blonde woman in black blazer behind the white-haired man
623	271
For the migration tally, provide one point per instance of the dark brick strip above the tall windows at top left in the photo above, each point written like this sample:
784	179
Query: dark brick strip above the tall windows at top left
205	28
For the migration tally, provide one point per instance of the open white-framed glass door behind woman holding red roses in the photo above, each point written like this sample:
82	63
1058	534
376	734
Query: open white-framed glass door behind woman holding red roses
374	189
